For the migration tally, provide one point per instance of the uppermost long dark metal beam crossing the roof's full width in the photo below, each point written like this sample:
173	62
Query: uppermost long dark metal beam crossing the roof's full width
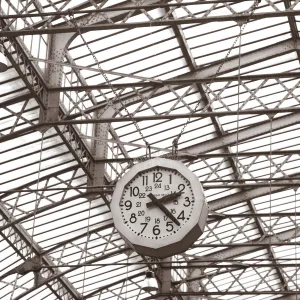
160	22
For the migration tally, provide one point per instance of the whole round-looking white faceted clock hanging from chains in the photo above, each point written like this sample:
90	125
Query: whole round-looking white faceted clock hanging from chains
148	230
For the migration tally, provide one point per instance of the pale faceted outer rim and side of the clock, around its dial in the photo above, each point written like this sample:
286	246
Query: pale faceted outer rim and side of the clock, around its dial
185	235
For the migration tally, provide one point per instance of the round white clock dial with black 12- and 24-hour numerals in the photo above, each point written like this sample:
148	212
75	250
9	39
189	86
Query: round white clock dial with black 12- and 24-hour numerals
149	210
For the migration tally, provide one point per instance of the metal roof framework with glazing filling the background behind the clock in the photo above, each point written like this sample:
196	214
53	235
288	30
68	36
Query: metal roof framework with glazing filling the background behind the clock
63	129
